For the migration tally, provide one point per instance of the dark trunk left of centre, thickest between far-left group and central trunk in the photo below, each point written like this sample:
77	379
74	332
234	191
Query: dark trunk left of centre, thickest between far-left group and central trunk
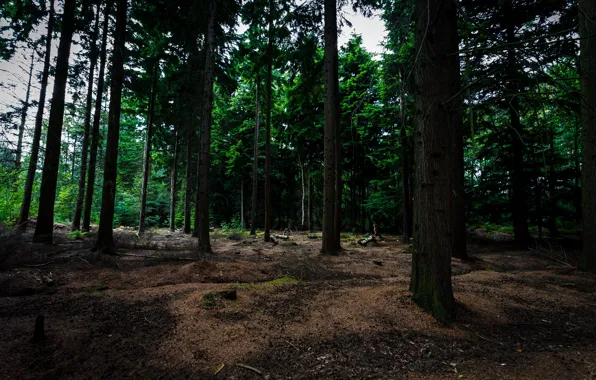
205	133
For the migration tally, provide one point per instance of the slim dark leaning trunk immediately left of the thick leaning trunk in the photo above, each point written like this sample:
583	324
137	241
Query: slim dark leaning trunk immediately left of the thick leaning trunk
26	205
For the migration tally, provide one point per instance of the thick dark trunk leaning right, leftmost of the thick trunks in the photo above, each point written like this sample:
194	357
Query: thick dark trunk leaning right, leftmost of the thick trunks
45	217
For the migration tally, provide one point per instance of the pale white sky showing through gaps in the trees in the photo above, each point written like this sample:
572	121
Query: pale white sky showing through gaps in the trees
14	73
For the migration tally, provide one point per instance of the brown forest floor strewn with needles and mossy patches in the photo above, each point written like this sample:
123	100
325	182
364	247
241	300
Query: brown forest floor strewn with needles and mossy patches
298	315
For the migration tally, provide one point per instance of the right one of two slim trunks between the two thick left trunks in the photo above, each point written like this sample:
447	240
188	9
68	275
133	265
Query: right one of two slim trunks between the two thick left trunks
96	121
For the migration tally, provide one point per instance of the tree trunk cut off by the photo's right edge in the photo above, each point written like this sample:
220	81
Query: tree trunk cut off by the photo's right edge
587	31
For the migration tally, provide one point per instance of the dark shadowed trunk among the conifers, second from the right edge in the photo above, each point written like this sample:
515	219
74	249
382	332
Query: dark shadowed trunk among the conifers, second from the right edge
519	207
